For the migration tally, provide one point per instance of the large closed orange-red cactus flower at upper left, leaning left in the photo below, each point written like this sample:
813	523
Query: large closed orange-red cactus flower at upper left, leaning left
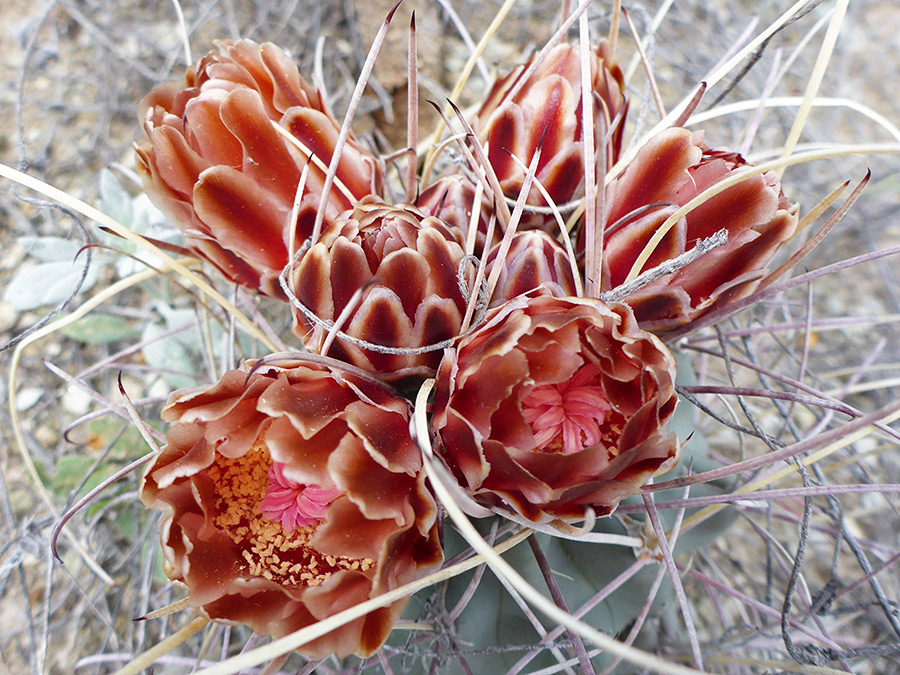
213	161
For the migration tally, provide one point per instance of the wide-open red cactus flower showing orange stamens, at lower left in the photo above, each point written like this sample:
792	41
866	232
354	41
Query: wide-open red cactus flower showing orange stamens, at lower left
289	493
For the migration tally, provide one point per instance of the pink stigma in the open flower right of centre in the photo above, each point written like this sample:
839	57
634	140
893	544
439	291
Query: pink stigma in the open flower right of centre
568	416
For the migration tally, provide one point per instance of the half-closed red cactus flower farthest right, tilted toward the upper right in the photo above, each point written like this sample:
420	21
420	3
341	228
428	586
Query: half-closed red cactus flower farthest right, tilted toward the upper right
673	168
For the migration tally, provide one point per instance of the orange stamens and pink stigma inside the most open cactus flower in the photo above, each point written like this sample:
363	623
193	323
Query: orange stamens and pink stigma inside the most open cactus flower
272	520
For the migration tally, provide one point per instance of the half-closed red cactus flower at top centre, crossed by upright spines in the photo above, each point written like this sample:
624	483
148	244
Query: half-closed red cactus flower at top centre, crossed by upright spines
517	115
